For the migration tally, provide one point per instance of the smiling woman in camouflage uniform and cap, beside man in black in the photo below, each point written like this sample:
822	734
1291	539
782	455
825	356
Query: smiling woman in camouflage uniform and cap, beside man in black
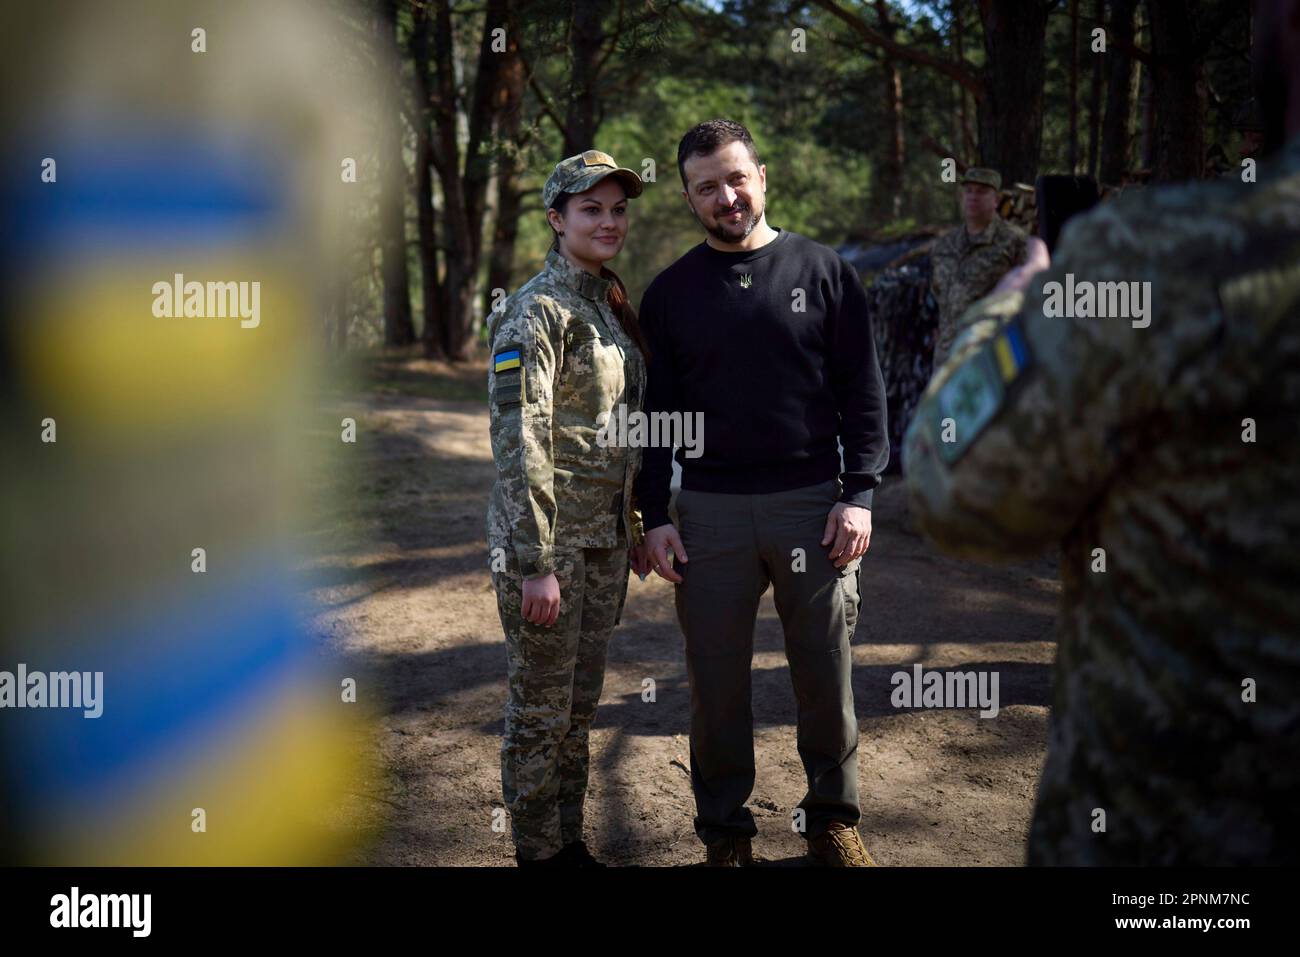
562	523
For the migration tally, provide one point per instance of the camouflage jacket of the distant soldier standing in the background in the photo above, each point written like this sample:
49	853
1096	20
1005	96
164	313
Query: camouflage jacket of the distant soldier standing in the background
965	269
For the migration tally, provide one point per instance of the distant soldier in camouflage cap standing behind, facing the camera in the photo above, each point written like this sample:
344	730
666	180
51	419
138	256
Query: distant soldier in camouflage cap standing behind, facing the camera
968	262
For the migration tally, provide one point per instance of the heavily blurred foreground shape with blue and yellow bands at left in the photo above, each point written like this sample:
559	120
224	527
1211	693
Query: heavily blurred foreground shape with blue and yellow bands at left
161	460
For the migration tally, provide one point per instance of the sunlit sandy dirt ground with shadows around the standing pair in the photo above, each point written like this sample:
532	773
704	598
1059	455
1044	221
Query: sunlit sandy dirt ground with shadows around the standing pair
401	583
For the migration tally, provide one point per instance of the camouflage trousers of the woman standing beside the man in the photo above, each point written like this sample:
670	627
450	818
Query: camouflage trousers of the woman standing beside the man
556	677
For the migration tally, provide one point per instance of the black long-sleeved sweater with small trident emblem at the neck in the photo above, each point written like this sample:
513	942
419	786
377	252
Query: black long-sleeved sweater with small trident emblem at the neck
777	386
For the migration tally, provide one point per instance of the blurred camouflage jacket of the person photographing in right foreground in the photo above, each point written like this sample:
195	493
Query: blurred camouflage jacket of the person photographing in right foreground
1164	461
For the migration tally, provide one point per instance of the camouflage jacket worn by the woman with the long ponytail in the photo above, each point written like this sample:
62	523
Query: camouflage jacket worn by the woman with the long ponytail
560	361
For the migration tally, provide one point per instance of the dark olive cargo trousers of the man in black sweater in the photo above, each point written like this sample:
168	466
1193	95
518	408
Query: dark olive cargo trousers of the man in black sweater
738	545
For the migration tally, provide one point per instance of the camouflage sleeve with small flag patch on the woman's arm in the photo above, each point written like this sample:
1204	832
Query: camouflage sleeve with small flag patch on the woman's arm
526	352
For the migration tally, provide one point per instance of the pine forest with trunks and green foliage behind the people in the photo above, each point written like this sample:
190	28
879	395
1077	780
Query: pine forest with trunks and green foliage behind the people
855	107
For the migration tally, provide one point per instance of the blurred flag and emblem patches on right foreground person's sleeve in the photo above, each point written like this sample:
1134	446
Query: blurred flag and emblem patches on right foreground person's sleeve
977	391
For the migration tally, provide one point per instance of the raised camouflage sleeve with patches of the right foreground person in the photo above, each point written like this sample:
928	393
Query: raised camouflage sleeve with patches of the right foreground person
1029	418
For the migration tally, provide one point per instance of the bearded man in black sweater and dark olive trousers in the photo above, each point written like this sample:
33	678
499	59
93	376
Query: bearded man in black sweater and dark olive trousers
765	336
